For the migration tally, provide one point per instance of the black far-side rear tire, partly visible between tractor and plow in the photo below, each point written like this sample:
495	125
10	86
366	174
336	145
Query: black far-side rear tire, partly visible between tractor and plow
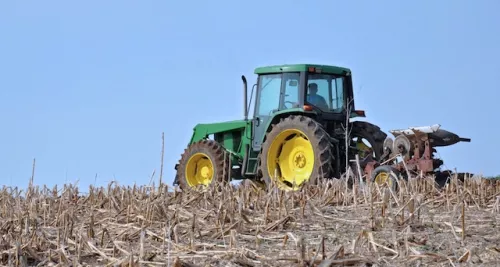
372	133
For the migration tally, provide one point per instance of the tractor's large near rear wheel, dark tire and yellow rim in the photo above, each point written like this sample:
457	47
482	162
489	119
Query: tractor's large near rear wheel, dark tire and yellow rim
298	147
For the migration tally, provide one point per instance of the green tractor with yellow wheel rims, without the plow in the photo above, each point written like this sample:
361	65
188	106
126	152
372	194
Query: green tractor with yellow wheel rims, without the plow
297	134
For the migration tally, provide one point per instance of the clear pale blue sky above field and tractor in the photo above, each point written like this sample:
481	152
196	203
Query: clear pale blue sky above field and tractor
87	88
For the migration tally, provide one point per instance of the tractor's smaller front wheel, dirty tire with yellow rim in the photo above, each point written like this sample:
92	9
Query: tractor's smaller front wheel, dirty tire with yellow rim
213	154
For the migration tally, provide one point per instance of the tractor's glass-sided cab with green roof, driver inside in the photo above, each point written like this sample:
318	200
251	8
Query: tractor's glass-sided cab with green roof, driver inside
323	90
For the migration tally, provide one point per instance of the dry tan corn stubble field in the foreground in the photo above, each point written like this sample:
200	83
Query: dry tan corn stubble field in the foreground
326	225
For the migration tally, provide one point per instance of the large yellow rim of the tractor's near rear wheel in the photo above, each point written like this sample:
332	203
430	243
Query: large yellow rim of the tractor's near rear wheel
290	159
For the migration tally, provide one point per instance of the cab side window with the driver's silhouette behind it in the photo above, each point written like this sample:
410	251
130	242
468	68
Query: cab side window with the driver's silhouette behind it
326	92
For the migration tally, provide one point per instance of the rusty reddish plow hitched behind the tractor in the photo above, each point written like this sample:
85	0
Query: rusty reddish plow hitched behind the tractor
412	152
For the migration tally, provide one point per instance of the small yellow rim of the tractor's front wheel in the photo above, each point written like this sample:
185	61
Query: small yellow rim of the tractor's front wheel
199	170
